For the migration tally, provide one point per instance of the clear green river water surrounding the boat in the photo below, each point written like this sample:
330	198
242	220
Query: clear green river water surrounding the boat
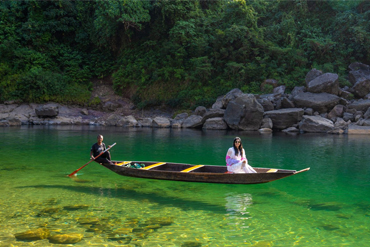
327	206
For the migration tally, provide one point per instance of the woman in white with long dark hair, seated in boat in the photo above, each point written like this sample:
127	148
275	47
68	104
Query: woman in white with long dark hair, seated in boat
235	158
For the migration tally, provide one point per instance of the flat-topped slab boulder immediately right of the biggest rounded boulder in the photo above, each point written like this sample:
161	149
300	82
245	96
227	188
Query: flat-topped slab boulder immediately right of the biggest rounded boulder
284	118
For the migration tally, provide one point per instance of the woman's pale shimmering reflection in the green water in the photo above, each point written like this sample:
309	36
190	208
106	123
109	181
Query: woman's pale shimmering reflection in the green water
237	204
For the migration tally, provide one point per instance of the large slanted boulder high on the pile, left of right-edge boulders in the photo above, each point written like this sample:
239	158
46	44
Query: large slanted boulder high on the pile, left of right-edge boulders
326	83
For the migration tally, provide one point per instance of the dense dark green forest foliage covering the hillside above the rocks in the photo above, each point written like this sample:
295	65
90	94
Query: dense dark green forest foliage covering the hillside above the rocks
181	53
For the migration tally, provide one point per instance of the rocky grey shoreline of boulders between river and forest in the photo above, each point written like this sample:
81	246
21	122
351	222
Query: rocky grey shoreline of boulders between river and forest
319	107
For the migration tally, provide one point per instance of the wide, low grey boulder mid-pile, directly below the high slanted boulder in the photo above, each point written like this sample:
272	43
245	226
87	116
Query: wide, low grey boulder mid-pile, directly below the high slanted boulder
321	102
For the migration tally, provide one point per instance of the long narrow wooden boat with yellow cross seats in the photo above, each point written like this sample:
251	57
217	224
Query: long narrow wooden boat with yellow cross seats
197	173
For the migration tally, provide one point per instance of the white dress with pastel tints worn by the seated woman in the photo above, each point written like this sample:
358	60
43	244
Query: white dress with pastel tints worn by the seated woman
235	162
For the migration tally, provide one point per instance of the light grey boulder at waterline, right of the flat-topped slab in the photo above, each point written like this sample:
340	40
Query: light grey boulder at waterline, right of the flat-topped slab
316	124
